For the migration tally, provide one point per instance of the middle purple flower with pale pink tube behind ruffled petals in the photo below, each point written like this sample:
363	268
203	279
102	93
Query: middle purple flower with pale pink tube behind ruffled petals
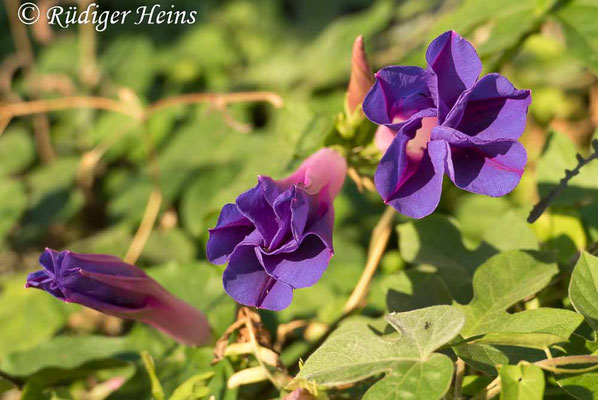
278	236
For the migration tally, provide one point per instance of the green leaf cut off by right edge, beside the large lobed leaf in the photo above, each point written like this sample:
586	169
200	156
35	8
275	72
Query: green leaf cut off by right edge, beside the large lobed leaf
583	288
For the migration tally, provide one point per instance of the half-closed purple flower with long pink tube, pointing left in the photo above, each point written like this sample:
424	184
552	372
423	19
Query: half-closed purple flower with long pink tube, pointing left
107	284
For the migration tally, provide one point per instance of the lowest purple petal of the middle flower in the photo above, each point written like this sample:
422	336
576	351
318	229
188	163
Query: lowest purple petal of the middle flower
246	281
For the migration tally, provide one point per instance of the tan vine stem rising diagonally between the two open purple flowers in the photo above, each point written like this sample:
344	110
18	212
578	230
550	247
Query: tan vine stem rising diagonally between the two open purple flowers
378	242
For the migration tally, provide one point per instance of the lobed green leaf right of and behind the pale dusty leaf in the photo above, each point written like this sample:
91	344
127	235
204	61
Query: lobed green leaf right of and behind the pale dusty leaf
502	281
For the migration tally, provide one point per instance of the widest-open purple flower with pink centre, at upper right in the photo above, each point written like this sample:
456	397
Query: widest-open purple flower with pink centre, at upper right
444	120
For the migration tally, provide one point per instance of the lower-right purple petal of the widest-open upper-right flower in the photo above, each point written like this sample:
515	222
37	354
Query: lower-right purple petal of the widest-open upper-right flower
493	169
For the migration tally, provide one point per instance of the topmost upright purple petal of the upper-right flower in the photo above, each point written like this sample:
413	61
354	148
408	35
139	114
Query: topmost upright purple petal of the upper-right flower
455	66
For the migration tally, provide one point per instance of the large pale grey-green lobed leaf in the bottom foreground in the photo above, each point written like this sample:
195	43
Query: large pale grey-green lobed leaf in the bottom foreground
357	350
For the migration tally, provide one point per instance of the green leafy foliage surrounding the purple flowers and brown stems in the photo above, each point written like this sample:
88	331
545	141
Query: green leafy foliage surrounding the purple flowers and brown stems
493	290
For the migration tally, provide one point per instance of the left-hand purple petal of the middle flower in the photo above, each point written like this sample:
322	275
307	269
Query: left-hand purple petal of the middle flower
231	229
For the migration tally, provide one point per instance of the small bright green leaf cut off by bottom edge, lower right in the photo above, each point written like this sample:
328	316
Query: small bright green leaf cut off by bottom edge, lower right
522	382
